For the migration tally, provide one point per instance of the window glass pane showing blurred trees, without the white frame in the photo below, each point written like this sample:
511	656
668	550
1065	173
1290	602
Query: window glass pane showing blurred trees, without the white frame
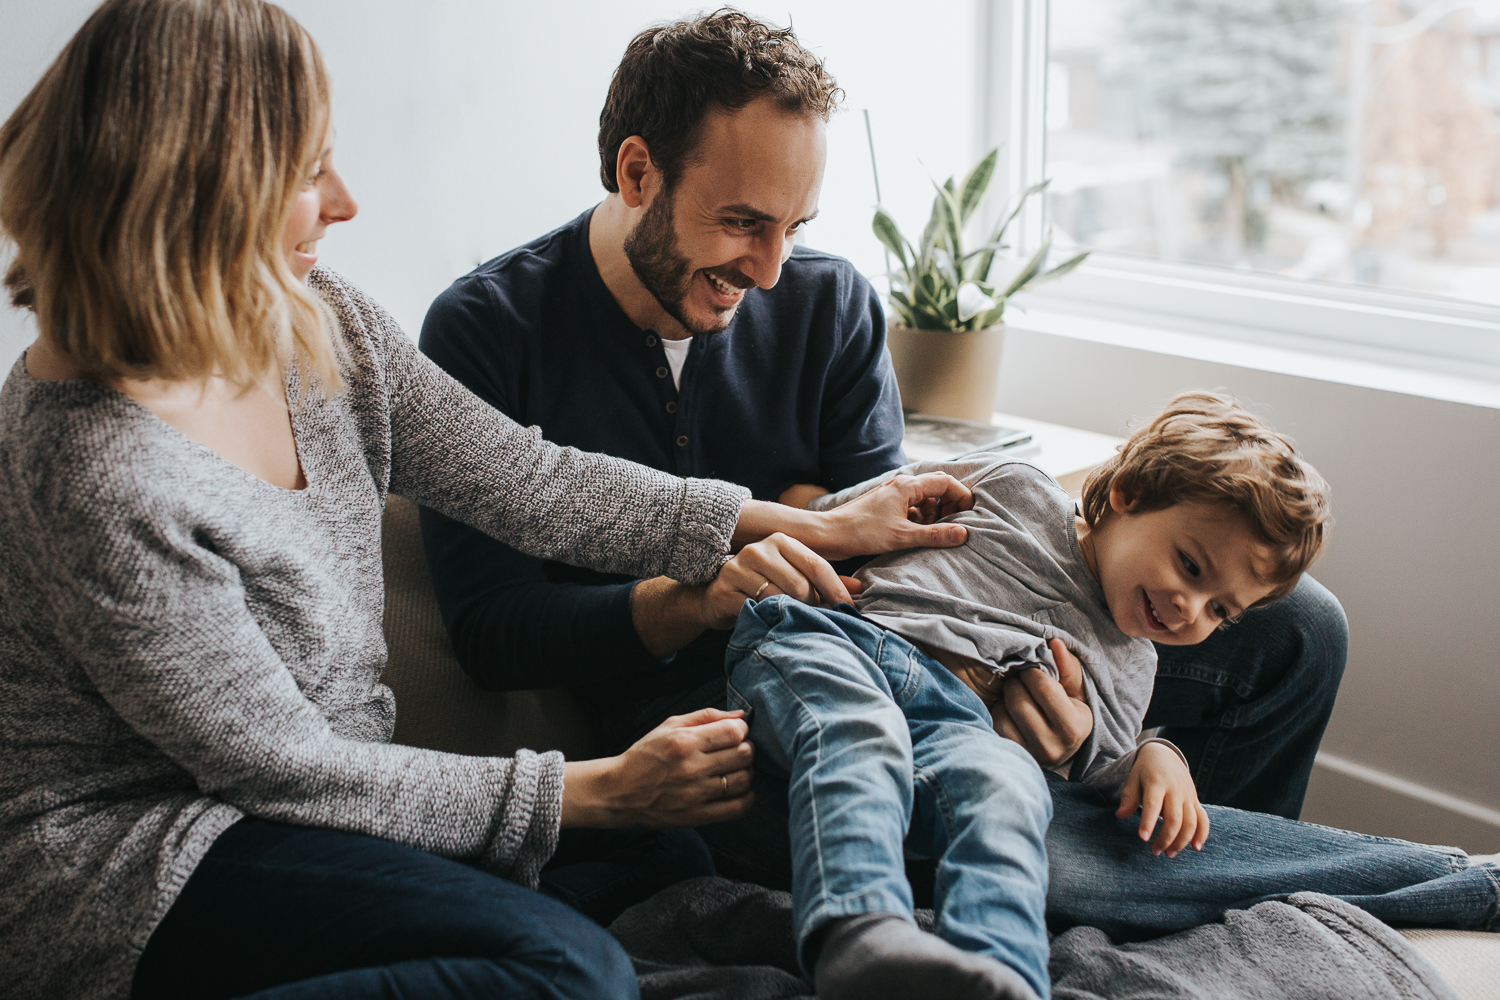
1351	142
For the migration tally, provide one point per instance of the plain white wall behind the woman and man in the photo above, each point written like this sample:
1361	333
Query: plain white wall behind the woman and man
469	127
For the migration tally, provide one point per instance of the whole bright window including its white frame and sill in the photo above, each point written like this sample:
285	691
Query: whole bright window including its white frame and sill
1306	169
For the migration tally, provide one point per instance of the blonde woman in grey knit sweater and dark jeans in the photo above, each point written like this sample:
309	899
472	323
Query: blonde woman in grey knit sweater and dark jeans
199	794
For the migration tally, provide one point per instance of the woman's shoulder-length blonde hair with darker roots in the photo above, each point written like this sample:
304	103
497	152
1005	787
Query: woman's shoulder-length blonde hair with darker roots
146	182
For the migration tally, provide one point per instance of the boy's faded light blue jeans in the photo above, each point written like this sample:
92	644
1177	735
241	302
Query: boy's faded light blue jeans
884	746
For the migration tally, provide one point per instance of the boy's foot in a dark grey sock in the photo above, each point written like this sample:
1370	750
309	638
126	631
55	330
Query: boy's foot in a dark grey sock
884	957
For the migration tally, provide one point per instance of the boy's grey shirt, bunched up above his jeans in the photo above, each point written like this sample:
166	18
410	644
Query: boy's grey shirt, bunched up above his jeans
1016	584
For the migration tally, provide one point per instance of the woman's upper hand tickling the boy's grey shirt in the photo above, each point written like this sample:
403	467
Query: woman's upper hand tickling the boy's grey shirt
896	516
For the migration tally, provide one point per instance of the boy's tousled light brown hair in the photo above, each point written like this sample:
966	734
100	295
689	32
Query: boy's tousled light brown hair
1207	449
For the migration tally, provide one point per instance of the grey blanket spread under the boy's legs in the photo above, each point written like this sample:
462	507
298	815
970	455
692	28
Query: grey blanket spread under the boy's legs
713	939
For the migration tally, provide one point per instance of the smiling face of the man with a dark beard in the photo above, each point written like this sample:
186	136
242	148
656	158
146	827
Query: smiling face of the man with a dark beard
730	221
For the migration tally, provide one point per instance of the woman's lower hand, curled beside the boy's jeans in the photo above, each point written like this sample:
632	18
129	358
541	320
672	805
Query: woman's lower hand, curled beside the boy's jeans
689	771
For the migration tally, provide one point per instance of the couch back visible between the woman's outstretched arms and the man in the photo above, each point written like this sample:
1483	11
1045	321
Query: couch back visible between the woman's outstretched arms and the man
437	705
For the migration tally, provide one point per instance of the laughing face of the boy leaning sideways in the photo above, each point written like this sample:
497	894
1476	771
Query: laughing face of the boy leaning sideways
1177	575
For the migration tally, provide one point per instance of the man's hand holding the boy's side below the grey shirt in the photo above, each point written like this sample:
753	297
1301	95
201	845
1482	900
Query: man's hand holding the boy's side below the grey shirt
1048	717
